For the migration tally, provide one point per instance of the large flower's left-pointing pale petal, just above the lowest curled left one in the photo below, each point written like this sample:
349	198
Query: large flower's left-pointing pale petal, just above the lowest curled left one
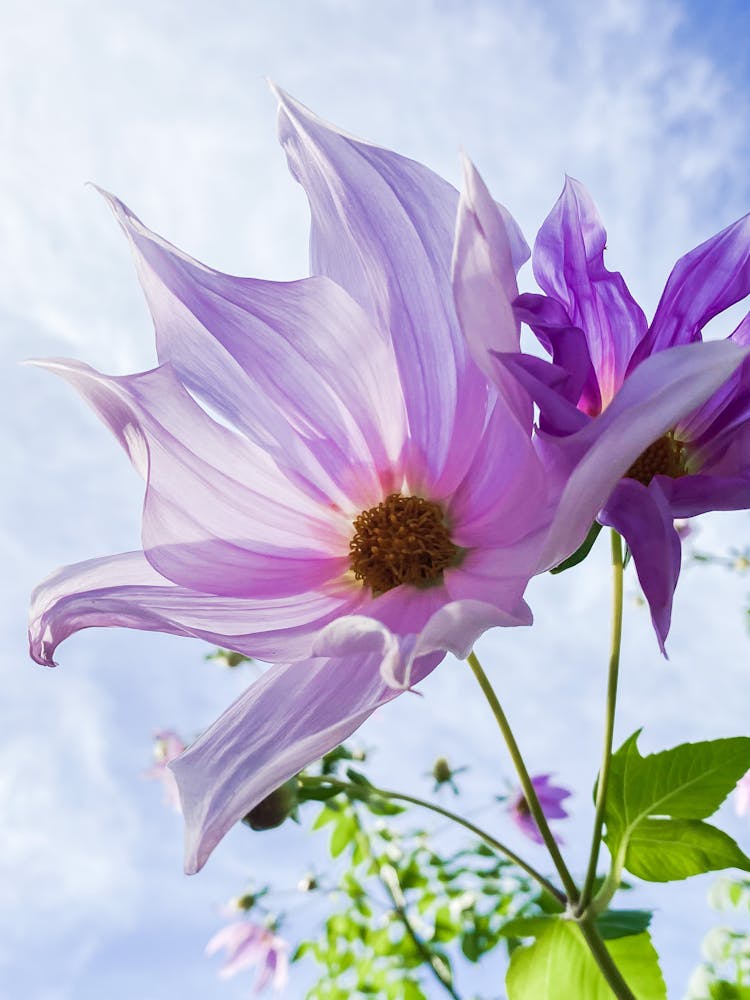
218	516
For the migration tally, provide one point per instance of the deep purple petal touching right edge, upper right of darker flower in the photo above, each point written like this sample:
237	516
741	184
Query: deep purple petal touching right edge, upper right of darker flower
702	284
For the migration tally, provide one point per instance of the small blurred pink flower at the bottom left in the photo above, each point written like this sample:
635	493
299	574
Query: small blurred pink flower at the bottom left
249	944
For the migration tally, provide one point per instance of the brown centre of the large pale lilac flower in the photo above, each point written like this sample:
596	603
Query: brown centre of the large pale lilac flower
402	540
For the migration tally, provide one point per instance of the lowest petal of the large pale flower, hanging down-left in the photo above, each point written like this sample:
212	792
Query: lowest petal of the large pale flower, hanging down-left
291	716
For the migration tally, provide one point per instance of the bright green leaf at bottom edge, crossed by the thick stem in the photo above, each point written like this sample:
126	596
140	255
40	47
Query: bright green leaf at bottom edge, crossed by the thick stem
559	964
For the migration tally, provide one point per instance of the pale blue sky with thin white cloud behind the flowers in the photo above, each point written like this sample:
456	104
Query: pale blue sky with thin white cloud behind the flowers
165	104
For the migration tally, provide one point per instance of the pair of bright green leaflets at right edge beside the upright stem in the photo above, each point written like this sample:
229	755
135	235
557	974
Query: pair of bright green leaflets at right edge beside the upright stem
656	803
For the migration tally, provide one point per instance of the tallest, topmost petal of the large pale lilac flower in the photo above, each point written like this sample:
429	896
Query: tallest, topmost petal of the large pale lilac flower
382	228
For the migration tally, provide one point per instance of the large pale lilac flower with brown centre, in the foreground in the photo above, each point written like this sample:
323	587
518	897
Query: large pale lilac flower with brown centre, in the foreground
358	500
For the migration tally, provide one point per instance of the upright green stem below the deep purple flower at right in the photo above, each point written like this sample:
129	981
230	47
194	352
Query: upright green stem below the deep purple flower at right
609	726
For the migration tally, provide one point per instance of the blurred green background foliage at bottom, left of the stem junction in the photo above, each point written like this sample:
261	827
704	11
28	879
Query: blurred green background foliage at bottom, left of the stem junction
403	910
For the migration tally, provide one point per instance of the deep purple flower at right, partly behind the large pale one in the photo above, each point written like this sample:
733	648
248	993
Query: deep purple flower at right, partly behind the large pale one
612	372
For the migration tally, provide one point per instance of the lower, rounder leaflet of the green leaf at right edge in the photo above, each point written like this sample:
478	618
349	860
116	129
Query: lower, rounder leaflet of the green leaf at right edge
663	850
